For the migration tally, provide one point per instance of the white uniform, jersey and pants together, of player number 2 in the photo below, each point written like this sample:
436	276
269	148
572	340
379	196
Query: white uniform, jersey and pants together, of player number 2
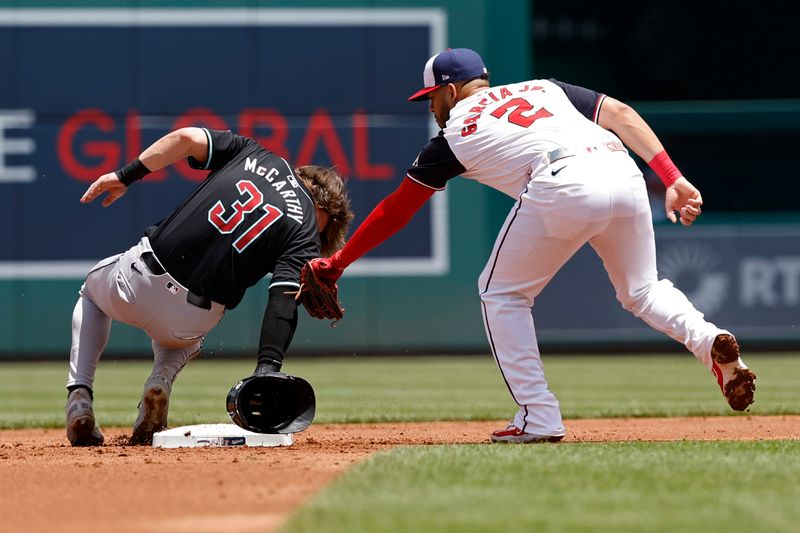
574	182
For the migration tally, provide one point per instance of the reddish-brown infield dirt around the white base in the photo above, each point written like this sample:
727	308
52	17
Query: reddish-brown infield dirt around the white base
49	486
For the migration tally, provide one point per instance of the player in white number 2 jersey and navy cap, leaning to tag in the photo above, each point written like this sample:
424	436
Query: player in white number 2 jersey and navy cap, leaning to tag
560	151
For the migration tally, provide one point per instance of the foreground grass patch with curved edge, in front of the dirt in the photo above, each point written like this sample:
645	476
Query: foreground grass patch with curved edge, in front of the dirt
652	487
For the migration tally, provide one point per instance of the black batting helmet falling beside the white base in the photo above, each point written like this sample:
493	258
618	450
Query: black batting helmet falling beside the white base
272	402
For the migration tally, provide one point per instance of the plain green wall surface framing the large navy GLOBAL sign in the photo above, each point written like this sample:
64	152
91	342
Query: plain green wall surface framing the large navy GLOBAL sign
419	313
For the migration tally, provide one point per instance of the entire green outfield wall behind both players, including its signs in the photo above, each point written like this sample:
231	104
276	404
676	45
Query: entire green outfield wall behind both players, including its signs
741	268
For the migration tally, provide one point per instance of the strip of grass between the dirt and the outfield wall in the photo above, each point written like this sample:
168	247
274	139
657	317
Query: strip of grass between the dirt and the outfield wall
365	389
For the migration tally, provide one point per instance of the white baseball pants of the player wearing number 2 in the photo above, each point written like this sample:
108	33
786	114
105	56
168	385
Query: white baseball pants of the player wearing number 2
599	198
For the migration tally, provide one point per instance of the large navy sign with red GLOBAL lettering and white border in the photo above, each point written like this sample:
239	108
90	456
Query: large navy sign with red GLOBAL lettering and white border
84	91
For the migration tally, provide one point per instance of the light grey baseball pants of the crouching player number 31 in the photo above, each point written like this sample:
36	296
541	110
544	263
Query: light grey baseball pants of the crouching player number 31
122	288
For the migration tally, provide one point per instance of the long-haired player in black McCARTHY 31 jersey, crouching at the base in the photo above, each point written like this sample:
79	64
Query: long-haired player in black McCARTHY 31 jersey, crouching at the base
253	215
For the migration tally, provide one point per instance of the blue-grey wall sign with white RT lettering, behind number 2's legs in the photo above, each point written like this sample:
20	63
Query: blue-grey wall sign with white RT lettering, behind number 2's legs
745	278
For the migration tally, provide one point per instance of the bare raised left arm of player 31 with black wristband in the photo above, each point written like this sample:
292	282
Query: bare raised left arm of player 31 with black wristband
172	147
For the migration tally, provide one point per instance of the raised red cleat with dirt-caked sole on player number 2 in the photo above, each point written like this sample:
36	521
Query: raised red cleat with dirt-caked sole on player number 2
737	382
